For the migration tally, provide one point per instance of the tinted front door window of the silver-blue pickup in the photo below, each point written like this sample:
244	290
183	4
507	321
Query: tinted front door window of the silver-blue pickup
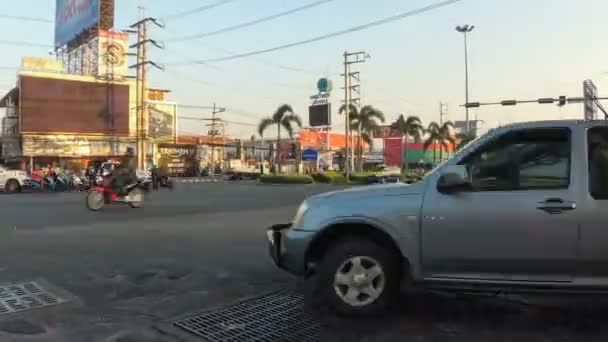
522	160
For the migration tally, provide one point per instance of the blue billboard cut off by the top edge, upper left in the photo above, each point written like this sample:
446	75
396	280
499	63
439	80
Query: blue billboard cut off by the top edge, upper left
72	17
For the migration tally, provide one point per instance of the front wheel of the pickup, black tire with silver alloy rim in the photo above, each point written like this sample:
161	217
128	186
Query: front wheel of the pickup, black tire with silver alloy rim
358	277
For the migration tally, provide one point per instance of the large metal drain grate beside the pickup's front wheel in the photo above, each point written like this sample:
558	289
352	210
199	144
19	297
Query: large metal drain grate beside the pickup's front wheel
280	316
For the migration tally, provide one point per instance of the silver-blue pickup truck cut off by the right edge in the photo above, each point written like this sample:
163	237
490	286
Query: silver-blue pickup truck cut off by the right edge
522	208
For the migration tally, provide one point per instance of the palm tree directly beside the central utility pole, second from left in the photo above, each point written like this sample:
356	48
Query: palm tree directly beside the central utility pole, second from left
364	121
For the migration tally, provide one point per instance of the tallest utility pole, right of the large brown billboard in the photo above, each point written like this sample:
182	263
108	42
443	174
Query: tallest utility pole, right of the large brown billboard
141	29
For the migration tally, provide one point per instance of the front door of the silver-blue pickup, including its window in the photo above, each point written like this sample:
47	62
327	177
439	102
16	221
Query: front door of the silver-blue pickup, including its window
519	221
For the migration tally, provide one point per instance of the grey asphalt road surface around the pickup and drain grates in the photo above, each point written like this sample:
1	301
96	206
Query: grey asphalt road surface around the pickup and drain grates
128	271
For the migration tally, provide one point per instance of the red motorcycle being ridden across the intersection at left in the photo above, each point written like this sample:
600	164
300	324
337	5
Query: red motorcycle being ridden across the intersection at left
103	194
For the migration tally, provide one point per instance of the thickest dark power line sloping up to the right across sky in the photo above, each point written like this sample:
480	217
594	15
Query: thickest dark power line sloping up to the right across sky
331	35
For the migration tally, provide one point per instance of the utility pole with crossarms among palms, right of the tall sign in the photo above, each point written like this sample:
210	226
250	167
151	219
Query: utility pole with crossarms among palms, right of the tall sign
350	58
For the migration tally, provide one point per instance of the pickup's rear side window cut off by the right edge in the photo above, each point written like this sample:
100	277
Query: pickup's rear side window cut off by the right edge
597	143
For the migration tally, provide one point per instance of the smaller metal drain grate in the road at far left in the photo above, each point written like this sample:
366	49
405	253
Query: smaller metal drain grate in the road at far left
25	296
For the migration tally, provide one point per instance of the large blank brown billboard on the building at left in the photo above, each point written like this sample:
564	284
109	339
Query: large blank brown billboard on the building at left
58	105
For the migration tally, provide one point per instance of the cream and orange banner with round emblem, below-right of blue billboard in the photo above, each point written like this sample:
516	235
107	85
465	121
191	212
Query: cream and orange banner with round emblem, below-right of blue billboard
112	53
